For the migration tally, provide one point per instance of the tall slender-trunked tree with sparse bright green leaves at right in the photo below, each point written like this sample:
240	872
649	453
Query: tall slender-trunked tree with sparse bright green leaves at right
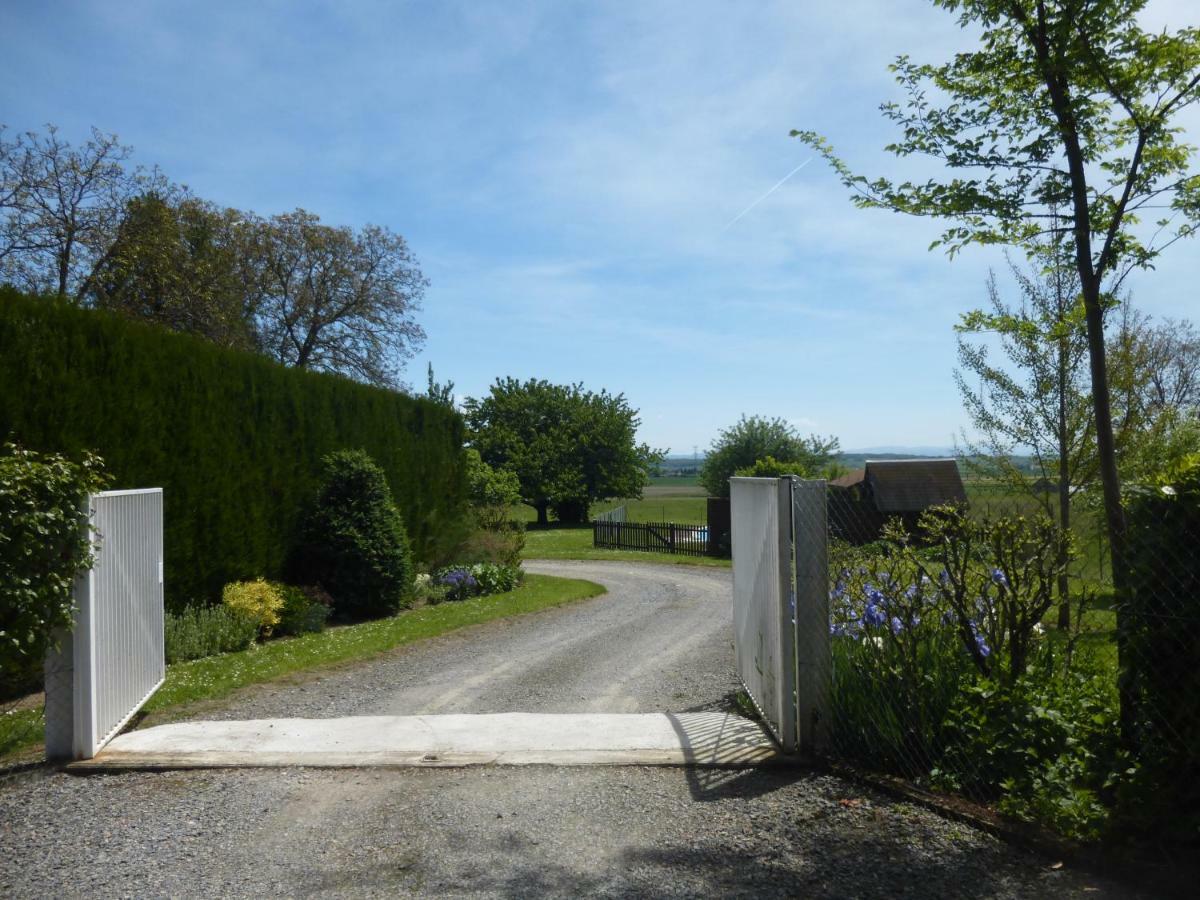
1066	106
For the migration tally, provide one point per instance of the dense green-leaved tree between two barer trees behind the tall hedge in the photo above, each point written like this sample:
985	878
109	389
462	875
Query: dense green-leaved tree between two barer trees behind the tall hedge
182	265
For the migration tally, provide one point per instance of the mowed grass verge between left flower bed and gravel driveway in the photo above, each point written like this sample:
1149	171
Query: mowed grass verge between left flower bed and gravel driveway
215	677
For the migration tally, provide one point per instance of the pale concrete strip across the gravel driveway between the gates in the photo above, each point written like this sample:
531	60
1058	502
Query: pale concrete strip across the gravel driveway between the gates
706	739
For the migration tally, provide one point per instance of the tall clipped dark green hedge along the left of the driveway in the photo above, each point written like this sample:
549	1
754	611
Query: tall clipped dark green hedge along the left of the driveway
235	440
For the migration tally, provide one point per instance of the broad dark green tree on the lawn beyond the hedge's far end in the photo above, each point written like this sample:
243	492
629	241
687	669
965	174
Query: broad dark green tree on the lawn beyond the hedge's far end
567	446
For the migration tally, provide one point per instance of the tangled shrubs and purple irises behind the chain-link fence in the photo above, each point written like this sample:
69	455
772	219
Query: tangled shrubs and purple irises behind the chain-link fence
945	674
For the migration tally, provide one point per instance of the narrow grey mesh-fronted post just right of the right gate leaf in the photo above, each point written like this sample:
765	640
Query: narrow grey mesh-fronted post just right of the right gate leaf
814	662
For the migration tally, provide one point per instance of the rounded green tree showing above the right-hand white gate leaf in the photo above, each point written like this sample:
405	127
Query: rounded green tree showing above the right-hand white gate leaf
754	439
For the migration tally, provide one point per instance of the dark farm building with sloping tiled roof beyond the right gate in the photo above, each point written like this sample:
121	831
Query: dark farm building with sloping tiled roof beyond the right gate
862	501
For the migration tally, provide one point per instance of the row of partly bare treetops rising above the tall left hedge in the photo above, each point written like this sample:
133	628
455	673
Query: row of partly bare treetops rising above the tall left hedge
83	224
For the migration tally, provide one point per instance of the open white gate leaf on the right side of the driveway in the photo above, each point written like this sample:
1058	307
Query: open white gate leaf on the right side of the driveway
765	631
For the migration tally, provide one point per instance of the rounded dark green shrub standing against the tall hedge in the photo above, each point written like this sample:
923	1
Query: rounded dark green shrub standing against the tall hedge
355	541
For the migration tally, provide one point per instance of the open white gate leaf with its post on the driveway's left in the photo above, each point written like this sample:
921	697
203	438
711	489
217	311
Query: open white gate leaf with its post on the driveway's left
115	658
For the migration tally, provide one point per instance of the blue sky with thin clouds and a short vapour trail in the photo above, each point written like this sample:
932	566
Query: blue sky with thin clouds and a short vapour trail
566	172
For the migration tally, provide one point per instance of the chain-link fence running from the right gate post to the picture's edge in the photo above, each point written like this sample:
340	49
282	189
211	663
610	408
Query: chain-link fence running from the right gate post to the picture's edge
983	650
